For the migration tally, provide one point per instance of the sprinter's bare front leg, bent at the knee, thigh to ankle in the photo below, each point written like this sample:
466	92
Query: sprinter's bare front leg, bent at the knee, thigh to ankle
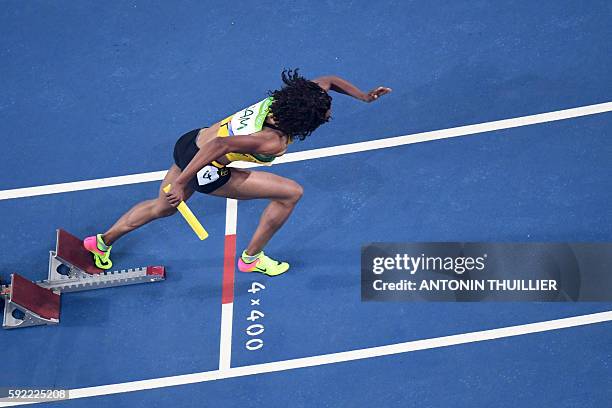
282	192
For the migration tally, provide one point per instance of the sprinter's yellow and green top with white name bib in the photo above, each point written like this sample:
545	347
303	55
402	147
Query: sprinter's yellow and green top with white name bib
246	122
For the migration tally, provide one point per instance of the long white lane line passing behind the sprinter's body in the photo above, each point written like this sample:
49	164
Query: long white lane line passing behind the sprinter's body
327	151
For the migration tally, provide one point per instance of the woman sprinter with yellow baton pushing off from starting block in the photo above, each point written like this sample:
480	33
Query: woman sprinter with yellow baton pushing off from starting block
257	134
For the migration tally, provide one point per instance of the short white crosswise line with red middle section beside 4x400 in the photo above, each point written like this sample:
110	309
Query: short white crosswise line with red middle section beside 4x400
227	296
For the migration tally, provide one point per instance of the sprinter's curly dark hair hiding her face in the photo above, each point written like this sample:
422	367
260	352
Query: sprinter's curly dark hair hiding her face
300	106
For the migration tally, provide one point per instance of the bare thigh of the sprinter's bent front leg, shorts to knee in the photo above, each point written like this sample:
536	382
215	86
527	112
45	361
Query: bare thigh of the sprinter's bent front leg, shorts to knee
246	185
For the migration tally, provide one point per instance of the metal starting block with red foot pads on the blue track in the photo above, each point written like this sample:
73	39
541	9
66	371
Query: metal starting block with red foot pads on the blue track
71	269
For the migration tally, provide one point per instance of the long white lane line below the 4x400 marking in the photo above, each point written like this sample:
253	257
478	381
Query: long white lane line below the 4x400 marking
360	354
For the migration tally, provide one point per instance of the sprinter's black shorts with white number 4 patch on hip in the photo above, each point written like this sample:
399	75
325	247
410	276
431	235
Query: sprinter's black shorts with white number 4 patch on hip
209	178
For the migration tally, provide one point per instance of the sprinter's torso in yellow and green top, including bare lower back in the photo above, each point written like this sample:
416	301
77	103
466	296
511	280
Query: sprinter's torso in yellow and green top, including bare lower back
248	121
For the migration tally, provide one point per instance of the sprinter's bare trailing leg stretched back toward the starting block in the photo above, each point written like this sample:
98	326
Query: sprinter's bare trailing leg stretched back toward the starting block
145	211
